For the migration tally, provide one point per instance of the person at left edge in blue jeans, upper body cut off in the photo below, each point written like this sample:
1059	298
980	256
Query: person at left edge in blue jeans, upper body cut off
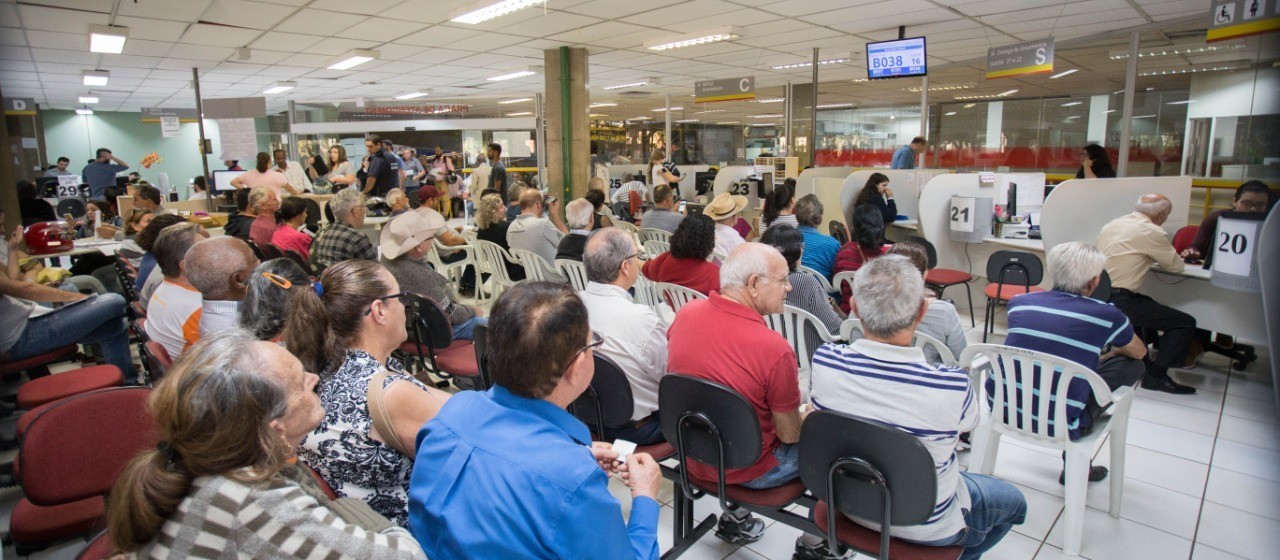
29	331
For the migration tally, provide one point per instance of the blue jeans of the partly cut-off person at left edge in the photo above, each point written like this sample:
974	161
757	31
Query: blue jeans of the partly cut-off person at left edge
97	320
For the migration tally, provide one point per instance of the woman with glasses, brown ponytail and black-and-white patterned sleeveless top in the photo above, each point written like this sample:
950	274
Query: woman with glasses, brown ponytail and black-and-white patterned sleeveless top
345	329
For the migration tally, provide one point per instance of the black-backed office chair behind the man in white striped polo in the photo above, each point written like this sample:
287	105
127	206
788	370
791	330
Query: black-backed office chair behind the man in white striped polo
862	469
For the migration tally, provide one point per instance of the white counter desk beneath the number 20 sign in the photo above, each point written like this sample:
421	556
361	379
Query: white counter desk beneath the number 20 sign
1219	310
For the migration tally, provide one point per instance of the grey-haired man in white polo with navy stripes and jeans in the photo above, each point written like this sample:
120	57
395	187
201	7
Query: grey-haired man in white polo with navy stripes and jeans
885	379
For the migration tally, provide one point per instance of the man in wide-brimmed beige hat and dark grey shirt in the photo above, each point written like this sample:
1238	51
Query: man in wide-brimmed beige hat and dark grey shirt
405	241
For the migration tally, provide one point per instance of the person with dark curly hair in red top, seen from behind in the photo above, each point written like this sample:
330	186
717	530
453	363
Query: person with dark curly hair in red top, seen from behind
687	264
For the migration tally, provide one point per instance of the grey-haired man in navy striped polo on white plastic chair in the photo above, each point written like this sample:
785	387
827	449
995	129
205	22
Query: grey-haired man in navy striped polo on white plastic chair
1068	324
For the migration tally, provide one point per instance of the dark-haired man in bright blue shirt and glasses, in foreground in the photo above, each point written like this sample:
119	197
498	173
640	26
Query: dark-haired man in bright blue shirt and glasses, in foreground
510	474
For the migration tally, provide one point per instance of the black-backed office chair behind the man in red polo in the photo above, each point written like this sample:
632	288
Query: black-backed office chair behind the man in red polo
716	426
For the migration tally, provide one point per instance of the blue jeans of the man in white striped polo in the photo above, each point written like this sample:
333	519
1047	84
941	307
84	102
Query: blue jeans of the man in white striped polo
996	508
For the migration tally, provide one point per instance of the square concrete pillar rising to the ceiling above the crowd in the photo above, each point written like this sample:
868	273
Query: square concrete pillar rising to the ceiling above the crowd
578	132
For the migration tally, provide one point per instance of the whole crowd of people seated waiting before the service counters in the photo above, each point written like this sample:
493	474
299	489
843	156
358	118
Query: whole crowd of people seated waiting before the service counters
290	426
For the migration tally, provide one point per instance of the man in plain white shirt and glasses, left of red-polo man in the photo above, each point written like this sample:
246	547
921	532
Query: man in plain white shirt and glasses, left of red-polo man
636	337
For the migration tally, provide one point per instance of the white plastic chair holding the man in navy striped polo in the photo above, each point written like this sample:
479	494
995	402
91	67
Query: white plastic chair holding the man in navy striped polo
1030	421
